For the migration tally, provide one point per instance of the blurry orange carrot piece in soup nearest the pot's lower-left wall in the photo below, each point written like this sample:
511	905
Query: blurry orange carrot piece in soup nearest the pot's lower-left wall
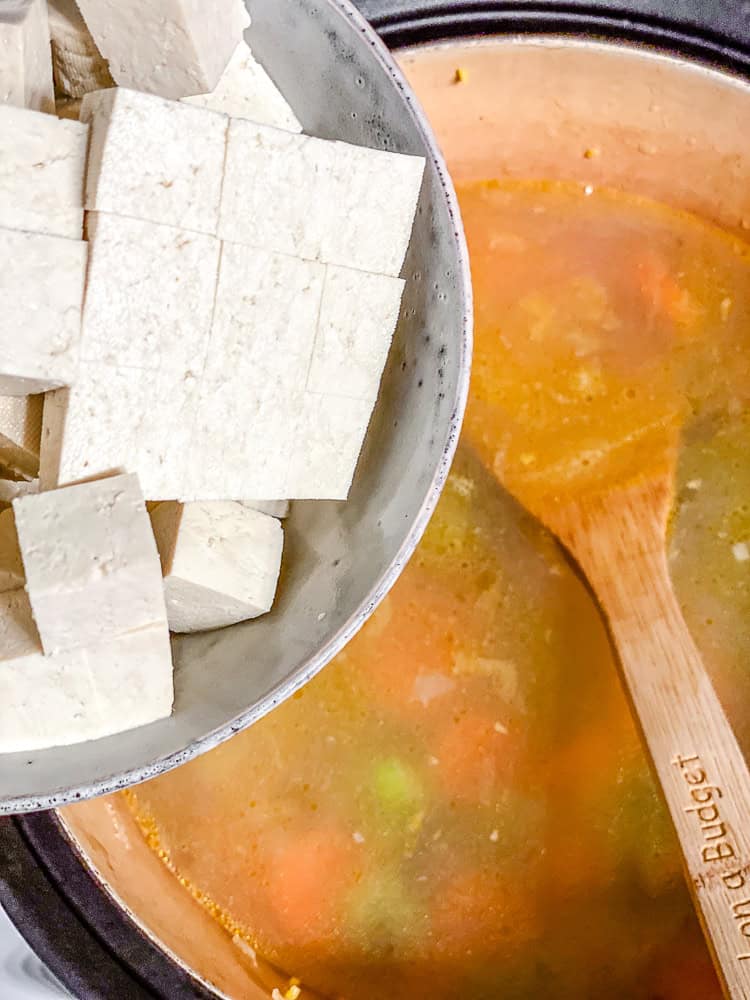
308	875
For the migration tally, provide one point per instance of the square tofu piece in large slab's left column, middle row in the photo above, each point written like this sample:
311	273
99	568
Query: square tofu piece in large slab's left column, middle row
149	295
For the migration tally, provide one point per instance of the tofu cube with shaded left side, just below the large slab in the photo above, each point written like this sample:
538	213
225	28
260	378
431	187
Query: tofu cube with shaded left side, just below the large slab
221	563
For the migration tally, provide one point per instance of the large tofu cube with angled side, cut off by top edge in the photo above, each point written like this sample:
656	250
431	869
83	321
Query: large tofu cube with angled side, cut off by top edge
173	48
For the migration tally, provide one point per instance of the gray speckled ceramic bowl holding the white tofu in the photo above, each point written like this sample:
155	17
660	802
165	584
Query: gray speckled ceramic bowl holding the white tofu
340	559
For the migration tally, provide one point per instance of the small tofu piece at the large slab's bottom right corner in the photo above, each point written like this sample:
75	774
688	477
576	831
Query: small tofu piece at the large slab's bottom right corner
327	443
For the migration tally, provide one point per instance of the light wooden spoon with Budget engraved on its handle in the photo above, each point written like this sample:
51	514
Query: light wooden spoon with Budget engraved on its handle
618	537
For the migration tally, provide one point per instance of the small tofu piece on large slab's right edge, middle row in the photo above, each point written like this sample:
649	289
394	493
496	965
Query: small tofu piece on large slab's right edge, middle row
358	316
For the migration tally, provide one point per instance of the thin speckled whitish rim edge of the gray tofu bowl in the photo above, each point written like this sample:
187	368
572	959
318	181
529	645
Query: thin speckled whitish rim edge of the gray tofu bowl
285	689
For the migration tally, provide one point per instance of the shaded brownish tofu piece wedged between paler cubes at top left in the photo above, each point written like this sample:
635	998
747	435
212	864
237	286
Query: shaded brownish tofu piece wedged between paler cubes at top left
78	67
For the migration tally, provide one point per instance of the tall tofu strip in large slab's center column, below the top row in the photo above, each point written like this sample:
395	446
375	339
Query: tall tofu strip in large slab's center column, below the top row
264	329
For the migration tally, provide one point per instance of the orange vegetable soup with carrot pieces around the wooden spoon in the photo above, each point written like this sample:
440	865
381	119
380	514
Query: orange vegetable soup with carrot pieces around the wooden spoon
459	805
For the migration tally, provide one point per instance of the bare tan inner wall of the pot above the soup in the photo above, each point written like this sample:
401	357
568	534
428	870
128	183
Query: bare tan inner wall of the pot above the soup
527	108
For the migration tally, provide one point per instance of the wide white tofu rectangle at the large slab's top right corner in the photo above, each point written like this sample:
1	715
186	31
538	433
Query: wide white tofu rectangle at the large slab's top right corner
319	200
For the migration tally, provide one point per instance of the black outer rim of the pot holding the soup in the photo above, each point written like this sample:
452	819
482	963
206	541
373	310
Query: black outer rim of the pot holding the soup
92	947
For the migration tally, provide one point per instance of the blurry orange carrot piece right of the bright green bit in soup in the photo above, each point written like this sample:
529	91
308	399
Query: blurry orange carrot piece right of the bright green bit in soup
475	755
